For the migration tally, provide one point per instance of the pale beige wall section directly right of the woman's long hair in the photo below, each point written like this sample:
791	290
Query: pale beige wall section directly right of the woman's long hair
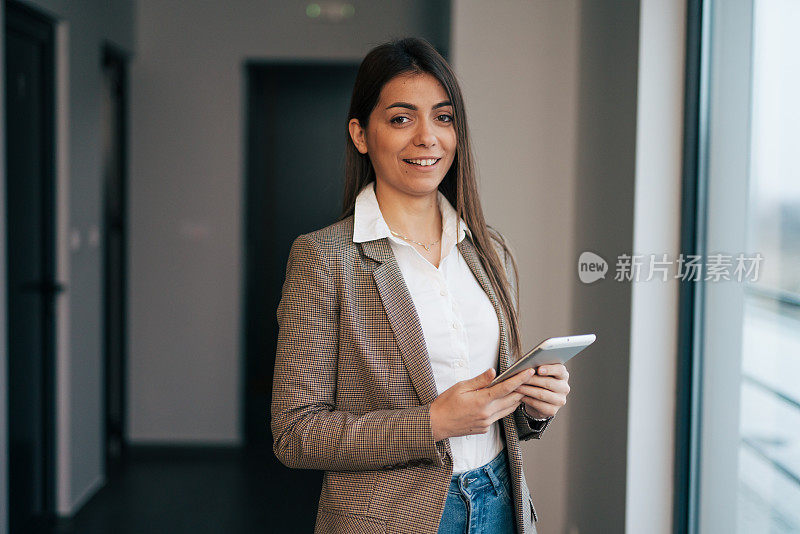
518	65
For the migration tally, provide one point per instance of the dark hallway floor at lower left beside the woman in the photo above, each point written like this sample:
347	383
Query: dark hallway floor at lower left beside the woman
199	491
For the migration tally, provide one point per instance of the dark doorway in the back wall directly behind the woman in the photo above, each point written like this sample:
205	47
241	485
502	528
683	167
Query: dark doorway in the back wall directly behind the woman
295	167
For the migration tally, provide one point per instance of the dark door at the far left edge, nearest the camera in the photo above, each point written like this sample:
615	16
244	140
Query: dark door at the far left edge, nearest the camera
32	289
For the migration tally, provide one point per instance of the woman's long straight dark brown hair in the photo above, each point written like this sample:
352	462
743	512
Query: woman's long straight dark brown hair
459	186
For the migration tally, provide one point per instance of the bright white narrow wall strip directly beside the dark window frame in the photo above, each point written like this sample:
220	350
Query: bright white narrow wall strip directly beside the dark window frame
654	308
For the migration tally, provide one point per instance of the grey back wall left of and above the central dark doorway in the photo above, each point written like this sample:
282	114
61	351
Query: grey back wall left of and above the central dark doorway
187	148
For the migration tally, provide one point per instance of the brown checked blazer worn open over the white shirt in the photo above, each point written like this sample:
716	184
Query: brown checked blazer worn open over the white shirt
353	386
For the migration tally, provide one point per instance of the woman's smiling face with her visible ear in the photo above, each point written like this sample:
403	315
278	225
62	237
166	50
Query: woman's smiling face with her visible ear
410	128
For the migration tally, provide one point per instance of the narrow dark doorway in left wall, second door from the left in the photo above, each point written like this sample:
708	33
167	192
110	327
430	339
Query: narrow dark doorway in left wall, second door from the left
114	120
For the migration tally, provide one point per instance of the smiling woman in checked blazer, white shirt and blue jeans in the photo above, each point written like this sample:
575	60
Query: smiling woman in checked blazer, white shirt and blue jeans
388	315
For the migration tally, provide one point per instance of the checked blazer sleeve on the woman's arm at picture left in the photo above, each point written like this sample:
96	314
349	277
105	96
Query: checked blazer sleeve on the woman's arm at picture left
308	432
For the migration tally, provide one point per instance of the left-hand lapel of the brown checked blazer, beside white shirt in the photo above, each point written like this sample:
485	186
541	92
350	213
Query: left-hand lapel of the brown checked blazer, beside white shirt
403	317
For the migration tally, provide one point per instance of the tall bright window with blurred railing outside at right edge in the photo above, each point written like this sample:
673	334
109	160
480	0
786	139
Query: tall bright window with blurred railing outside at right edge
746	470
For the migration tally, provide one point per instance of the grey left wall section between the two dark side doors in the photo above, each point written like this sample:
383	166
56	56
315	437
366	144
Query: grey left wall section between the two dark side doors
81	30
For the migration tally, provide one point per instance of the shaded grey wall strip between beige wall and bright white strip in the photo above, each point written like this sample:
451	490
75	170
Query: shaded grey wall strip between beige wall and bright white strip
604	204
